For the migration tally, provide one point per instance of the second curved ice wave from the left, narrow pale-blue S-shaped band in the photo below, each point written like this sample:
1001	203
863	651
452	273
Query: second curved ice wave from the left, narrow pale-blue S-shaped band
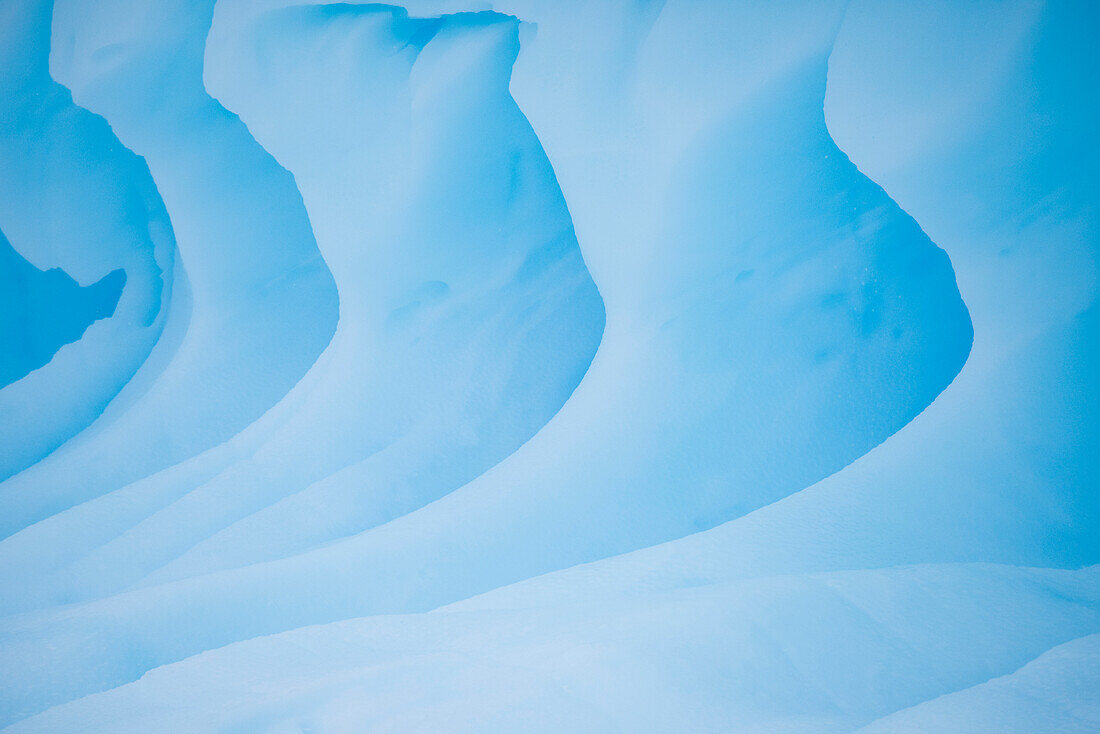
261	303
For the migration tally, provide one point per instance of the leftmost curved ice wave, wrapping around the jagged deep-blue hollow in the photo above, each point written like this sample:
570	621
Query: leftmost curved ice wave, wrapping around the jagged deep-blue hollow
72	198
